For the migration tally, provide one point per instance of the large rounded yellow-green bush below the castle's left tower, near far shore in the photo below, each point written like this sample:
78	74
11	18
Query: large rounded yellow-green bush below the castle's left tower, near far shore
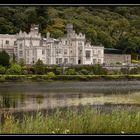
14	69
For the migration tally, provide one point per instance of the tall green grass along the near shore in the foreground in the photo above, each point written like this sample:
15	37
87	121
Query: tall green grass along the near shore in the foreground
88	121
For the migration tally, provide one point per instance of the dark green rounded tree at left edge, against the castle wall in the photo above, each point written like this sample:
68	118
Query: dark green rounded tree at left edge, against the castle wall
4	58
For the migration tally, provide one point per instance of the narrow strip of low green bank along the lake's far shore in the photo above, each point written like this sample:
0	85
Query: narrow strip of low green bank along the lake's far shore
7	78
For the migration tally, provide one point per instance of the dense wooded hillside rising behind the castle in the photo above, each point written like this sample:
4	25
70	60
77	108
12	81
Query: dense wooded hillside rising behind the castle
114	27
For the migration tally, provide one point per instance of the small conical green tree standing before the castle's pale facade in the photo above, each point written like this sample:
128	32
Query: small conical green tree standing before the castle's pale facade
39	67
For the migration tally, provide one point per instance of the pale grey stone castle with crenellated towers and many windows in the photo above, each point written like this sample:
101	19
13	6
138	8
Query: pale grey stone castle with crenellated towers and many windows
70	49
